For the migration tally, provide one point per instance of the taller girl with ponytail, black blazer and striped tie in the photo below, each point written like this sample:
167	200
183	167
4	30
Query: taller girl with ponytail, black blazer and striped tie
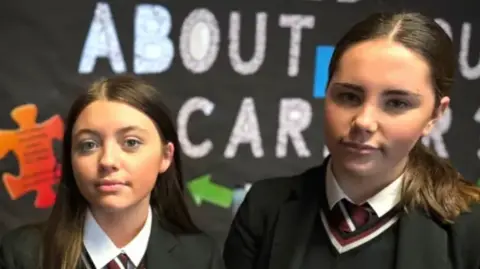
380	199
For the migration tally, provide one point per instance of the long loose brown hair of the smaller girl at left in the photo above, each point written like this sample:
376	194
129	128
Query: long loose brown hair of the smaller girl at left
63	237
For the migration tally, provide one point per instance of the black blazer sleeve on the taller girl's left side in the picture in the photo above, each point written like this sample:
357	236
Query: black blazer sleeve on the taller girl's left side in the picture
241	247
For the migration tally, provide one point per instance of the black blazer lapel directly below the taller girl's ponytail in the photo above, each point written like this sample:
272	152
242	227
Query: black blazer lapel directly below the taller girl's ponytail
422	243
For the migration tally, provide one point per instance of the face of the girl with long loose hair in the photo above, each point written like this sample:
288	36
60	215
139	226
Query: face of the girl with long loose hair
117	154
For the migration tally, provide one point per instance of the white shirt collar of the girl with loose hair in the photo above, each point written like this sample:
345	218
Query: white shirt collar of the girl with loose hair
102	250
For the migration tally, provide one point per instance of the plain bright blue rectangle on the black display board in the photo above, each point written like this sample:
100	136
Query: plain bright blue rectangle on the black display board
323	55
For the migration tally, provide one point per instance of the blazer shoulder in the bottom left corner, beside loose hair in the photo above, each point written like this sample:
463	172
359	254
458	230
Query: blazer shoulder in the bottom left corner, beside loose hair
20	246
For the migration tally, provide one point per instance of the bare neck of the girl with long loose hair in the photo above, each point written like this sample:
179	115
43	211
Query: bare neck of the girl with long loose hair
123	225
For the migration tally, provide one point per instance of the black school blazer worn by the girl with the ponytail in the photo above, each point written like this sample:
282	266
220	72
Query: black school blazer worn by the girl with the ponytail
273	224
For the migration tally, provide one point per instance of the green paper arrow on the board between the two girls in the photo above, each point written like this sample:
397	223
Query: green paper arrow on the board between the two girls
203	189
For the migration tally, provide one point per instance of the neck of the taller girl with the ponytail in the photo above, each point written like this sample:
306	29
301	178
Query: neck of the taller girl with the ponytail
360	188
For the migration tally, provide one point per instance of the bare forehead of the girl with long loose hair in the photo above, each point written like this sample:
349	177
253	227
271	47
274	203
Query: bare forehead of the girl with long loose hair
110	116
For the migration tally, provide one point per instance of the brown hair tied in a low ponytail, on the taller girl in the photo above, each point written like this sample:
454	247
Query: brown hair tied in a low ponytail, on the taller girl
431	183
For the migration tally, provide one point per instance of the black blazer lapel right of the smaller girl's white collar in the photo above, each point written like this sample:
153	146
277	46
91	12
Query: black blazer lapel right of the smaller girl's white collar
161	249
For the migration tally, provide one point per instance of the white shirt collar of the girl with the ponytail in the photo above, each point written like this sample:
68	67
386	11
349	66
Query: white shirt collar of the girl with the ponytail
381	202
